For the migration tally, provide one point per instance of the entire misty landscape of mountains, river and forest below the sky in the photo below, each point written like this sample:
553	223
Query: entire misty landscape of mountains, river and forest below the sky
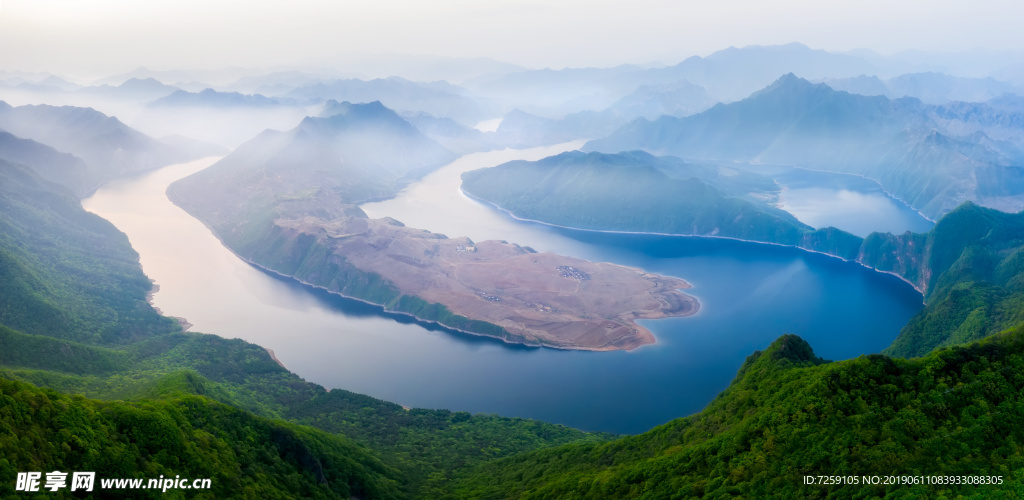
708	279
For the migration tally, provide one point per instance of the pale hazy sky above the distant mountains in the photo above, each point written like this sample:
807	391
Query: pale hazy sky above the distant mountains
98	37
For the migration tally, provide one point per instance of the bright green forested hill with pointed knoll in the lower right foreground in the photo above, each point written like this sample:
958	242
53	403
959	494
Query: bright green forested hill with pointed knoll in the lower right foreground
788	415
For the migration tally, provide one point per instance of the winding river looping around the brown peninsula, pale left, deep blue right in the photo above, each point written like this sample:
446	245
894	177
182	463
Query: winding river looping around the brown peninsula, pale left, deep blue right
750	296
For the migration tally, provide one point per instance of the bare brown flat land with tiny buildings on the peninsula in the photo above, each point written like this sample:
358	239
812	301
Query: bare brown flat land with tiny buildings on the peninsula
542	298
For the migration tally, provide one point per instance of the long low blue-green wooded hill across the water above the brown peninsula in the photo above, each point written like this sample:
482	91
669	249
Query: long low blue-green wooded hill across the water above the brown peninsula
636	192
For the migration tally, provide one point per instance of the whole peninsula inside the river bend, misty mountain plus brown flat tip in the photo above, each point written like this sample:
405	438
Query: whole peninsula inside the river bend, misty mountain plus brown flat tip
289	212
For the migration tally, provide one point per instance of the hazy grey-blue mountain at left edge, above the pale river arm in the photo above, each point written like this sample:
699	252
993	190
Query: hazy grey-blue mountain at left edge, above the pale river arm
107	146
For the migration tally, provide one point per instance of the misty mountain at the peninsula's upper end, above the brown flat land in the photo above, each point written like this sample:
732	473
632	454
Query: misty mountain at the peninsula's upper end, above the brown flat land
352	153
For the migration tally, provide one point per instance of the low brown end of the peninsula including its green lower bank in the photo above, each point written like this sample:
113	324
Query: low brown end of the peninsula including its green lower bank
490	288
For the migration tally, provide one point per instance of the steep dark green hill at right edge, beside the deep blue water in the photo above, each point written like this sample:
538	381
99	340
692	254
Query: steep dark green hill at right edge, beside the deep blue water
972	268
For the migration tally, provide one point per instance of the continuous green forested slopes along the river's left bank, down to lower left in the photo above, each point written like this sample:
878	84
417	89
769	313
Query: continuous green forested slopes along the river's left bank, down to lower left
74	319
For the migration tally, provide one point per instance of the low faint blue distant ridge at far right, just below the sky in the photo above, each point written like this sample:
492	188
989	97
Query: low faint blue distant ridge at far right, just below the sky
932	89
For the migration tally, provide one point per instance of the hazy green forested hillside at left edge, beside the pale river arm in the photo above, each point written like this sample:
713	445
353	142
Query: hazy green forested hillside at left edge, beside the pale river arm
68	273
